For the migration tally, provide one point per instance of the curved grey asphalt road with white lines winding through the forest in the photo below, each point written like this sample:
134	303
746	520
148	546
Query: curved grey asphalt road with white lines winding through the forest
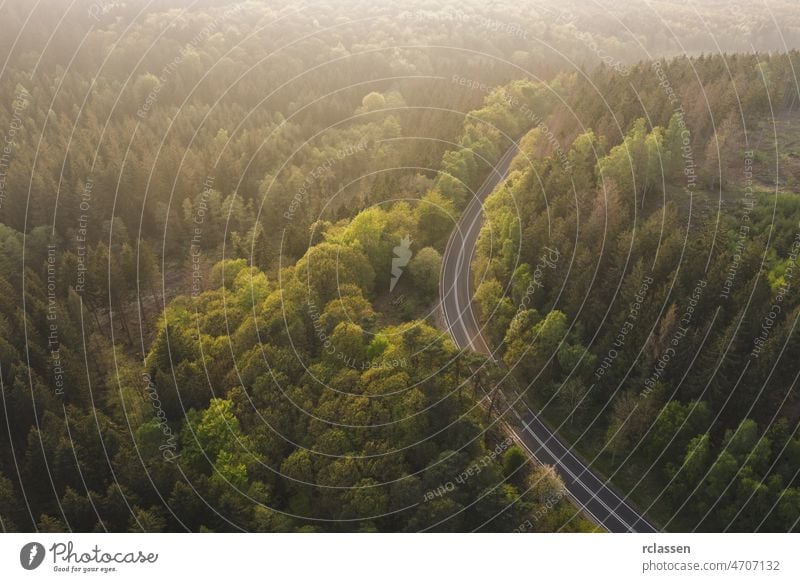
593	495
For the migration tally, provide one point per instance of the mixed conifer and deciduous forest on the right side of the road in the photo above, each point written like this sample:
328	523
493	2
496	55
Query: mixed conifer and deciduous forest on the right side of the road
646	291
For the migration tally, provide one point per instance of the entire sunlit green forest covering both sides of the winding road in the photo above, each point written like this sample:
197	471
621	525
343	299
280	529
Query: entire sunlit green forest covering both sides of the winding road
221	235
